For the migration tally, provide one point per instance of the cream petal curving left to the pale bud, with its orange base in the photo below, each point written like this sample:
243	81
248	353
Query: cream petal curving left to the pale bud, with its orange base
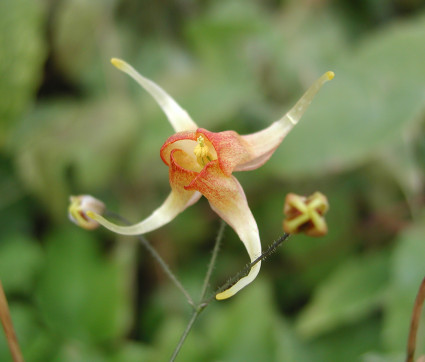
178	200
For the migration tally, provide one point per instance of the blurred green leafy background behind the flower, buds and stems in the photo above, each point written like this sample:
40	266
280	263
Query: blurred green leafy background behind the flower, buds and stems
70	123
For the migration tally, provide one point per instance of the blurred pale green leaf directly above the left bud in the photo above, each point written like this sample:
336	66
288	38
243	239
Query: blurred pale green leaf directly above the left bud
70	143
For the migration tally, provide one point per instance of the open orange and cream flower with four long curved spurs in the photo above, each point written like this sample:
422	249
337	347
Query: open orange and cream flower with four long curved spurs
202	162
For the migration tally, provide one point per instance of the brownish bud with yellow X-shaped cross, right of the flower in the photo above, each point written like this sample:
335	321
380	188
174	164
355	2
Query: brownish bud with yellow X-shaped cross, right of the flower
306	214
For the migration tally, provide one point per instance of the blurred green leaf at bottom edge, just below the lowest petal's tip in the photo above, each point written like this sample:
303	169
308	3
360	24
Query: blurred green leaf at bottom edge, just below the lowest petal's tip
247	329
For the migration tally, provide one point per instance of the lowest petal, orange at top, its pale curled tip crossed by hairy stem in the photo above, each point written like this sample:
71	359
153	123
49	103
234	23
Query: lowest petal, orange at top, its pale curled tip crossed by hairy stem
228	200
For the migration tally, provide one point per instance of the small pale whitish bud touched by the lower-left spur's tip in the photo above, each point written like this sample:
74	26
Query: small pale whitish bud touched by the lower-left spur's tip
80	205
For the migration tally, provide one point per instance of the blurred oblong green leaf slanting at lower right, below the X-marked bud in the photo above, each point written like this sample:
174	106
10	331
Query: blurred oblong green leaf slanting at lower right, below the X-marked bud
353	291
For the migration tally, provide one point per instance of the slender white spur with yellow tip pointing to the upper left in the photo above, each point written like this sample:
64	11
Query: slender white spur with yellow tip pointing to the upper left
178	117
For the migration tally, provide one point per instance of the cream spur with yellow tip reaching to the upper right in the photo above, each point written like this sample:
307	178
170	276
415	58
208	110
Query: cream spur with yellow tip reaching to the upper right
262	144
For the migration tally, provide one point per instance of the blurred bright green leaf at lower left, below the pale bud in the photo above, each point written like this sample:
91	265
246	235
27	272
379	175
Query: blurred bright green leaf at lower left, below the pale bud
80	293
